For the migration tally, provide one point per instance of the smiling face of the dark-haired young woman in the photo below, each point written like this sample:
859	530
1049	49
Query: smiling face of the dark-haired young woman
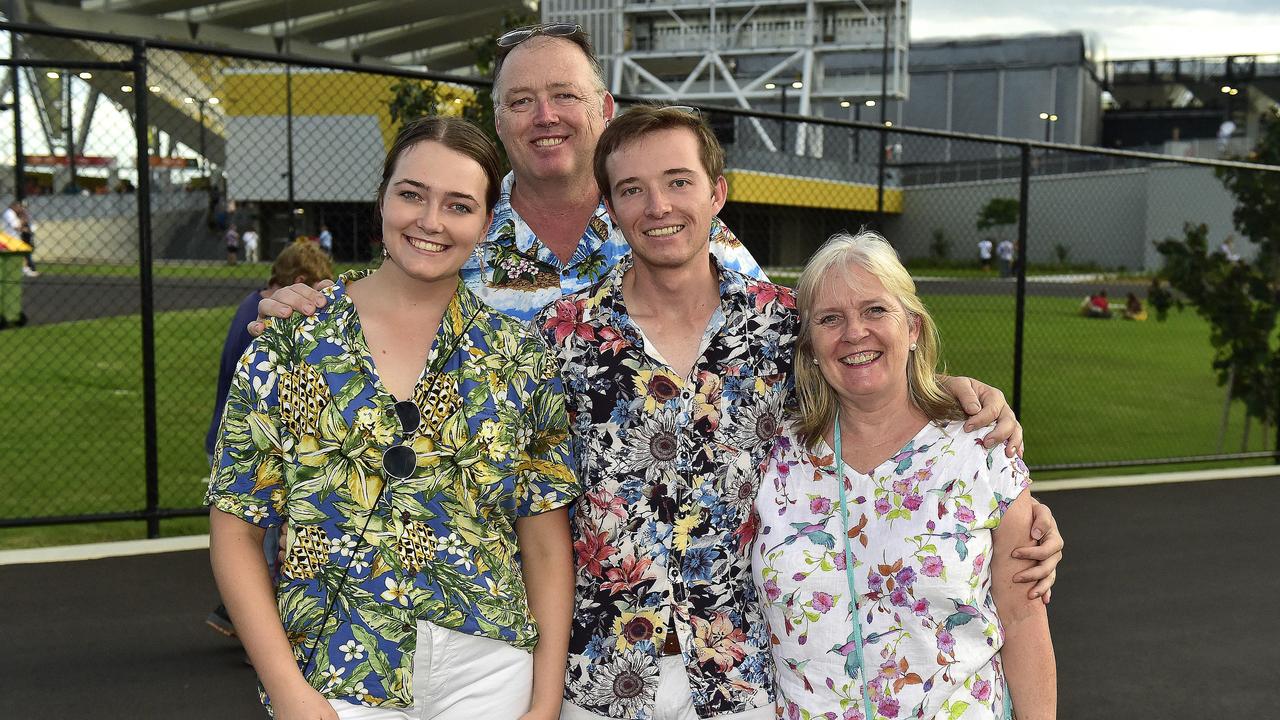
433	212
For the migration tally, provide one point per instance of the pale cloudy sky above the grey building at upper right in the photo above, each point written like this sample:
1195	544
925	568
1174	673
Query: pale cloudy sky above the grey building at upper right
1176	29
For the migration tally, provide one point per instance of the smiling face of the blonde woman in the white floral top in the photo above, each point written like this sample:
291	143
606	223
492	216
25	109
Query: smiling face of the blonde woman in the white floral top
861	338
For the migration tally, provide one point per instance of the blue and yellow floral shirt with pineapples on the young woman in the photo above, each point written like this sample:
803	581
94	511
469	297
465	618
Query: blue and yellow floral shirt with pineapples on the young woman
303	440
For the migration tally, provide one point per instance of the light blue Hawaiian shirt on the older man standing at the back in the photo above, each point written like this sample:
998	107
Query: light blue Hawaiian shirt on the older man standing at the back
515	274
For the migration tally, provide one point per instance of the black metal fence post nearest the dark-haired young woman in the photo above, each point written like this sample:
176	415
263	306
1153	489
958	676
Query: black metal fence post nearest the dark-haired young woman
148	291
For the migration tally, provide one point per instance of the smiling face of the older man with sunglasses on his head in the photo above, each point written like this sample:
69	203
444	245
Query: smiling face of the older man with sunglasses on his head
551	110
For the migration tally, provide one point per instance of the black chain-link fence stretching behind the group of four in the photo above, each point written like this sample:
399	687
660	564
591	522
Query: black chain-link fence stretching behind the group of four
147	171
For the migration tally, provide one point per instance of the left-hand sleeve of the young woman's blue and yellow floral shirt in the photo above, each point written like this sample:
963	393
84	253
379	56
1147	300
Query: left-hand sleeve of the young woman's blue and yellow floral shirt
248	480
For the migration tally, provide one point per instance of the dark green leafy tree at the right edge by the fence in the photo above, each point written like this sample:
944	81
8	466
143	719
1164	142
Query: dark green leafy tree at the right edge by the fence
1240	300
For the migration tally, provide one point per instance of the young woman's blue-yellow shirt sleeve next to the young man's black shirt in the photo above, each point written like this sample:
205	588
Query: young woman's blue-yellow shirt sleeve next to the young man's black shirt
547	480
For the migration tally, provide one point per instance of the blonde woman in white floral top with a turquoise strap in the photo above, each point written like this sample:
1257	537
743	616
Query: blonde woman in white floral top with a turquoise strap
884	554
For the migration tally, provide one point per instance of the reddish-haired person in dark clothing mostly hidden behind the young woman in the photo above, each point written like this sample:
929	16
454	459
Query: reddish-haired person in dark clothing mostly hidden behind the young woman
299	263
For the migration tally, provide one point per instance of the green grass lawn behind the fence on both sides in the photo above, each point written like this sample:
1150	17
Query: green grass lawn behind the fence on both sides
1095	390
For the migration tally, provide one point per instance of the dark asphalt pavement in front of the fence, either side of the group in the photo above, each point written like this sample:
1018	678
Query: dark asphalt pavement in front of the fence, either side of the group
1165	608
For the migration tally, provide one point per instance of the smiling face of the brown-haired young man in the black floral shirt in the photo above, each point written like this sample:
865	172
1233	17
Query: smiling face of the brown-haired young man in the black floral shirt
664	200
